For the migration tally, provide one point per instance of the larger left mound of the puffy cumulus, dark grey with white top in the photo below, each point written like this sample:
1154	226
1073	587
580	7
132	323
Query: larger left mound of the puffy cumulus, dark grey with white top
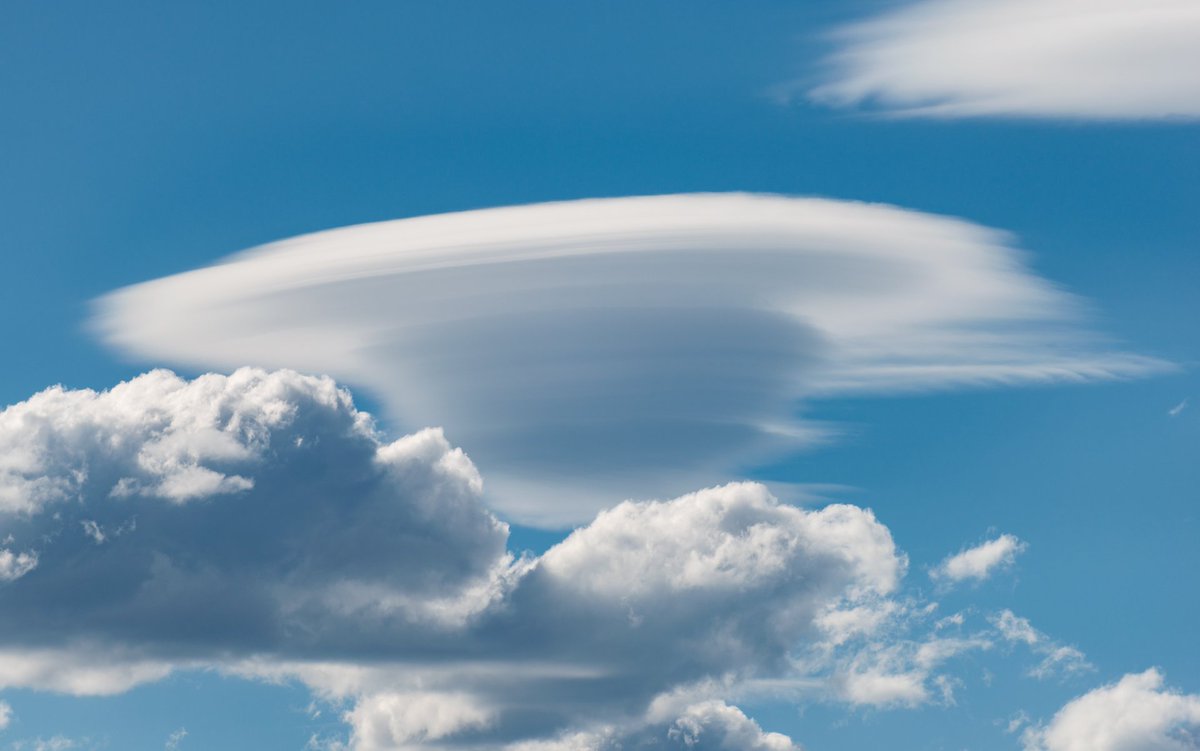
257	510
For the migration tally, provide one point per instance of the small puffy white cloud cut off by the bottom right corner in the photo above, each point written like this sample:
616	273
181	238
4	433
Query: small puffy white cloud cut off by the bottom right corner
1135	714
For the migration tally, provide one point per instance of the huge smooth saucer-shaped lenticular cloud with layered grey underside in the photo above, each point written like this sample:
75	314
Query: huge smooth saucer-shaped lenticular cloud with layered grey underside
586	352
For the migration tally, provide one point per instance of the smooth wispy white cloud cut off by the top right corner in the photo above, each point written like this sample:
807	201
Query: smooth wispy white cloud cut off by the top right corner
1099	59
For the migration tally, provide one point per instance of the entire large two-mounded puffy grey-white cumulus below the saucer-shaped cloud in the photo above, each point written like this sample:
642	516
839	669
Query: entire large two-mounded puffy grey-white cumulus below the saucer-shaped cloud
371	572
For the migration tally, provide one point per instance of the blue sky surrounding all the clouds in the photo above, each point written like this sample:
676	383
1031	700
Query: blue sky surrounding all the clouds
143	142
